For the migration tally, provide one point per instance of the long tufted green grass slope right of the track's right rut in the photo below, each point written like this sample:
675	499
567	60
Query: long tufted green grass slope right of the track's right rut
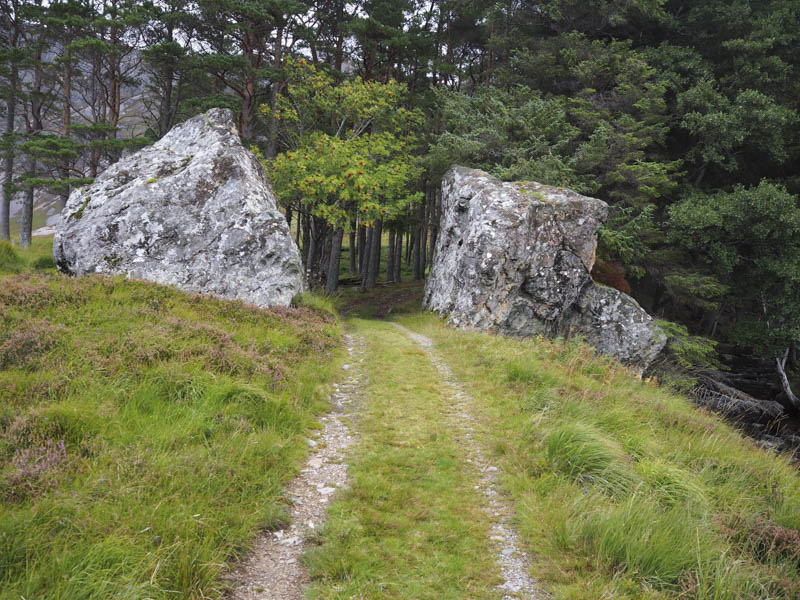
621	488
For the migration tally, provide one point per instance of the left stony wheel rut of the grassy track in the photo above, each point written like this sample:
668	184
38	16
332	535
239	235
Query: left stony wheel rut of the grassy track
274	571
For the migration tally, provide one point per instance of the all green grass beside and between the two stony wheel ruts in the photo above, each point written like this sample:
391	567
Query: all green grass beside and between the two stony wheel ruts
146	434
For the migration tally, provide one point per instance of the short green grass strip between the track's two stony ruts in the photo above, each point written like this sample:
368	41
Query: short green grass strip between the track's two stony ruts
410	525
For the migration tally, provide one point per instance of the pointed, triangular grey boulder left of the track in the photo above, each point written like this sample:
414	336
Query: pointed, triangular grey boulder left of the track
194	211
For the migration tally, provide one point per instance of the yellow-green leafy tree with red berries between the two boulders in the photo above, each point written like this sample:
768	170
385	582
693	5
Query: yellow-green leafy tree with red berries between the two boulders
352	159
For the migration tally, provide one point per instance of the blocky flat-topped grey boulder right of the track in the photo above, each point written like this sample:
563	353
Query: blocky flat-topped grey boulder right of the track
514	258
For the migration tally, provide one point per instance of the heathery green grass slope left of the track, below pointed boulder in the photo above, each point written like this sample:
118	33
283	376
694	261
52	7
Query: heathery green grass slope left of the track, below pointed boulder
145	434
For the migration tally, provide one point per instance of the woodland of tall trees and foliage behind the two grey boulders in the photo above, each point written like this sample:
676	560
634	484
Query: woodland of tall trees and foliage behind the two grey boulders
671	112
